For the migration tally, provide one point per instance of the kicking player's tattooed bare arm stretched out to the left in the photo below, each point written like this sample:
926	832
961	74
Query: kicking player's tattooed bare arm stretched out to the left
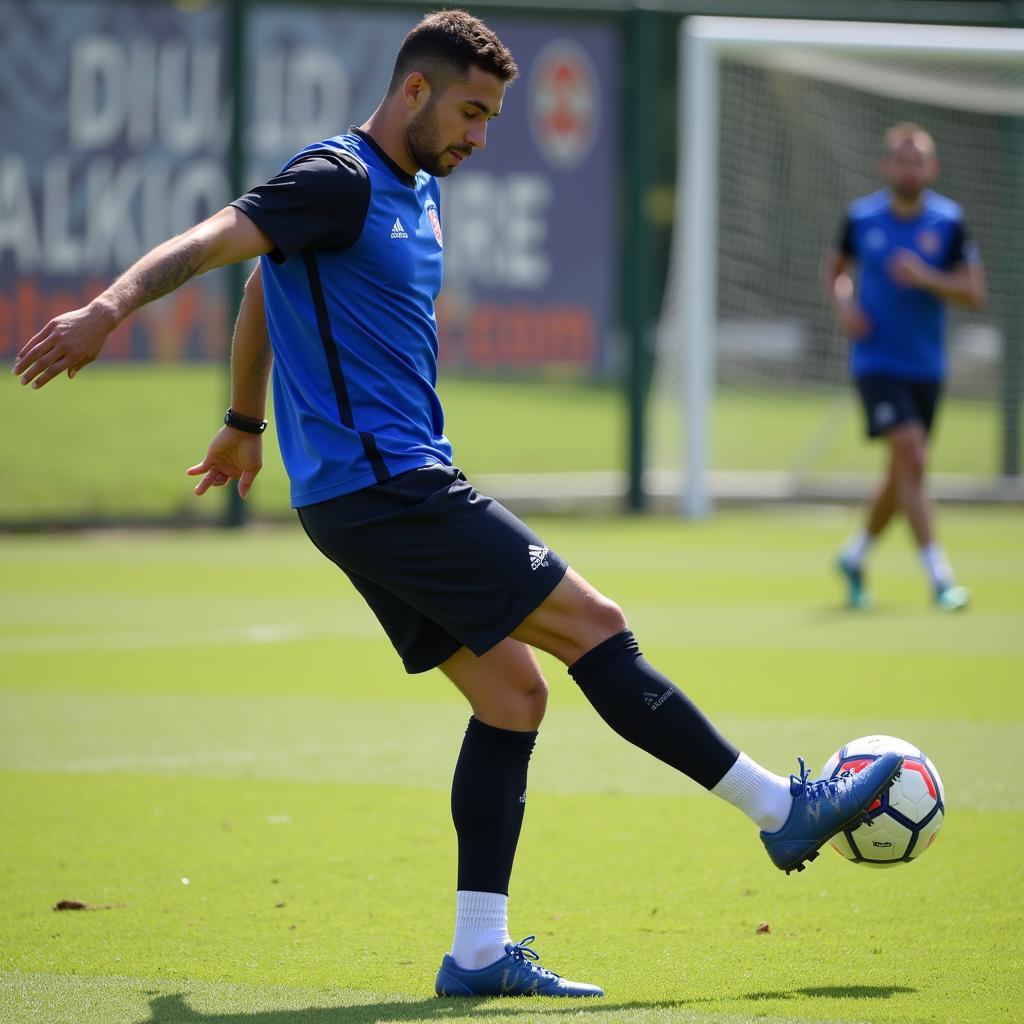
74	339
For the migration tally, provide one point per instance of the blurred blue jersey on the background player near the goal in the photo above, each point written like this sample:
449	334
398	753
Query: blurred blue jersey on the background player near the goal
909	325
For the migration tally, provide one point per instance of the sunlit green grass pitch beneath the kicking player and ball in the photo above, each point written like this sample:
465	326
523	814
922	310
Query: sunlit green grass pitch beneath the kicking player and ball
221	709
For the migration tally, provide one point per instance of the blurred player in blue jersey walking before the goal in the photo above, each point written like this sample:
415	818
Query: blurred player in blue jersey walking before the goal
915	257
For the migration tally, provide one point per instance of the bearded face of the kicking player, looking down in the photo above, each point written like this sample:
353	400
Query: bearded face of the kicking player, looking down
450	126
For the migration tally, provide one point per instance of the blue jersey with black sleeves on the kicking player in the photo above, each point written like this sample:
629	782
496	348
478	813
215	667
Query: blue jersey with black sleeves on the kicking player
350	294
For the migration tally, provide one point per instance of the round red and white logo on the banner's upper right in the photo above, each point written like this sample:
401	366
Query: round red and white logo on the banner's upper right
564	103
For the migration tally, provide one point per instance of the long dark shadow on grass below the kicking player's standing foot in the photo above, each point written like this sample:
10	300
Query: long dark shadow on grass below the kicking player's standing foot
175	1010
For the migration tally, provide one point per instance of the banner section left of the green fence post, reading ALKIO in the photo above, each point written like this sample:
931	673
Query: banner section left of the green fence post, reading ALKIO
113	129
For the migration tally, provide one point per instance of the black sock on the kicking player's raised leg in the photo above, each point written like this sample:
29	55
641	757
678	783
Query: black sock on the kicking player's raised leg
649	711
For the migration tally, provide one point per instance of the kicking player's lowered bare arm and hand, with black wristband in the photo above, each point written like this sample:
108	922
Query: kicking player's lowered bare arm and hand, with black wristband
236	454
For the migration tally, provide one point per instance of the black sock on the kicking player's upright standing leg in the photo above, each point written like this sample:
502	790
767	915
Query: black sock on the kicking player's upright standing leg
489	798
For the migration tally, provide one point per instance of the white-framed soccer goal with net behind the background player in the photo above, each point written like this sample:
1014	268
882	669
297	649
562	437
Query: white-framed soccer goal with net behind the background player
781	127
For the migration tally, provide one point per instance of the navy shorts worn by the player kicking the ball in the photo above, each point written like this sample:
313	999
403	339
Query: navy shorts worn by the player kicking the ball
441	566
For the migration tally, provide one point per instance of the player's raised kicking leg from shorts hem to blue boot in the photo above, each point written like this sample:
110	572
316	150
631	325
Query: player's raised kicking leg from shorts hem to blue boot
588	633
